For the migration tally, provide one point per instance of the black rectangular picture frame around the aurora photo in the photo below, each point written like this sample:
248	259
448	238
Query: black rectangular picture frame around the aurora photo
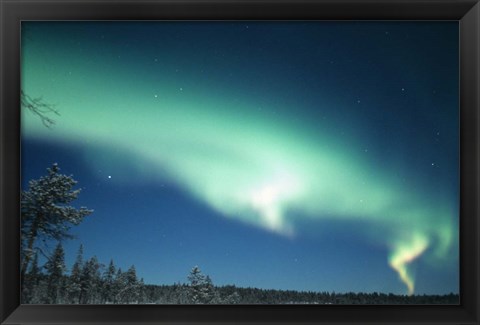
467	12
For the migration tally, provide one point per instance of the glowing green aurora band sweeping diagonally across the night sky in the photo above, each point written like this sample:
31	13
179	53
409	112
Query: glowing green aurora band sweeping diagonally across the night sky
267	170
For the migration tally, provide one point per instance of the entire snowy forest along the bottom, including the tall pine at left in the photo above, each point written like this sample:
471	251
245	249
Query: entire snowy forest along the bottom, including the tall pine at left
48	216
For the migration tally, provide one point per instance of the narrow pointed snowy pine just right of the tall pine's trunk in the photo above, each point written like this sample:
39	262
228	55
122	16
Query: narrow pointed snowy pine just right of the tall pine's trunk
56	268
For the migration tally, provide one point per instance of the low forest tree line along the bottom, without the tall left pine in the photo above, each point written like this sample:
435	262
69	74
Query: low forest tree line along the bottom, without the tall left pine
91	282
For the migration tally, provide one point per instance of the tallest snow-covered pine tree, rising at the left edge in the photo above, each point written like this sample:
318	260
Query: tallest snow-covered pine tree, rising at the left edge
46	212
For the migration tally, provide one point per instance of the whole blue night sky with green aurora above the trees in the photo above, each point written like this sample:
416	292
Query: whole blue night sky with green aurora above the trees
286	155
